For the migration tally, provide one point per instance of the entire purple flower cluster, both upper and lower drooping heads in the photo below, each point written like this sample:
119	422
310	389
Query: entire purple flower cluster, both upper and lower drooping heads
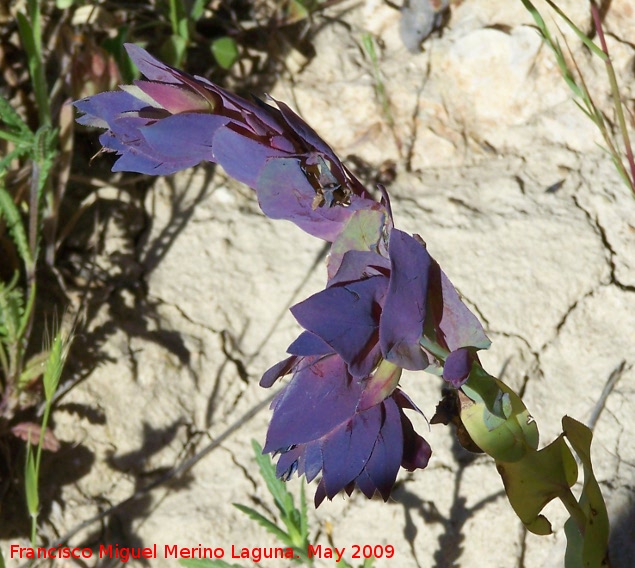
387	305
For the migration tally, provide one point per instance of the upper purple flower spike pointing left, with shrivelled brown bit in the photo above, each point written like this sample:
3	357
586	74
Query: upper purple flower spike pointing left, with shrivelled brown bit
171	121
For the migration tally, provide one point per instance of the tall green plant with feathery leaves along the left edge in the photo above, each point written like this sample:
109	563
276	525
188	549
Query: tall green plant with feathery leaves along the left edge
22	220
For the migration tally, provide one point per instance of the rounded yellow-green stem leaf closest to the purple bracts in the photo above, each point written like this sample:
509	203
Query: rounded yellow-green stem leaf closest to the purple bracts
498	421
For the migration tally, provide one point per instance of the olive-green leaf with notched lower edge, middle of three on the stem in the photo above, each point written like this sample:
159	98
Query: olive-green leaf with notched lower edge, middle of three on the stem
536	479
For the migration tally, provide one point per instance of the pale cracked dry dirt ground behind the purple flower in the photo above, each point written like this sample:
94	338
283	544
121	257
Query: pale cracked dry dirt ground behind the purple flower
503	177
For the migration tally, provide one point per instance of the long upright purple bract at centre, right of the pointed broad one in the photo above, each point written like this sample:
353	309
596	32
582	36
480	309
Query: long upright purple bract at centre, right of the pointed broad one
404	311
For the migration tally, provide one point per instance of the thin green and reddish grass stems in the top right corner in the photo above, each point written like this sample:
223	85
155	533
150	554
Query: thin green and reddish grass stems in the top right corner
622	158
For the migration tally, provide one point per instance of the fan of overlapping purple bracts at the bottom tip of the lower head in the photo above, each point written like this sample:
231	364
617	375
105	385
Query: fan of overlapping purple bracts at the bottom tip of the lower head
318	426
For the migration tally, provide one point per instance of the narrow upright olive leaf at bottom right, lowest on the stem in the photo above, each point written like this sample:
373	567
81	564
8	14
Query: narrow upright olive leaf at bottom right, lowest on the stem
591	549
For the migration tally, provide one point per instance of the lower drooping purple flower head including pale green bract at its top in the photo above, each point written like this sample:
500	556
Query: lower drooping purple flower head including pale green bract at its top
342	413
